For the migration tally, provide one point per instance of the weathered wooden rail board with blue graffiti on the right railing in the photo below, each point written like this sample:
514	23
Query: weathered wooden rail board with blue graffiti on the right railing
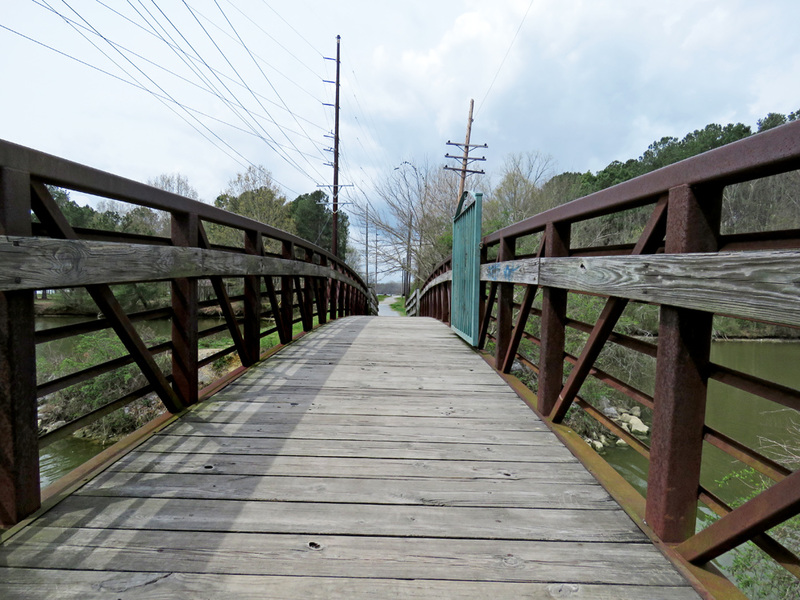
757	285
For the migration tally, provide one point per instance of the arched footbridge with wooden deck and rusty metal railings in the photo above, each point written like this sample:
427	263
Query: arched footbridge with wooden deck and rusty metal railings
380	457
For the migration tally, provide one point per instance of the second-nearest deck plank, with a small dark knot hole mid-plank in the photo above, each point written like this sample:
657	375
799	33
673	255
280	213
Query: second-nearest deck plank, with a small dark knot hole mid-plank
347	556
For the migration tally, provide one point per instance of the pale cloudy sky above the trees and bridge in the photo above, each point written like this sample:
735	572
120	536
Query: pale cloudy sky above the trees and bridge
207	87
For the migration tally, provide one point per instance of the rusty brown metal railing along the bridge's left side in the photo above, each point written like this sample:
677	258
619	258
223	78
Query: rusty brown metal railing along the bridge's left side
41	250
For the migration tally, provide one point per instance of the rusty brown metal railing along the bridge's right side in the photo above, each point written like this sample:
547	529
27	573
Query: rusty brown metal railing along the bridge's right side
684	265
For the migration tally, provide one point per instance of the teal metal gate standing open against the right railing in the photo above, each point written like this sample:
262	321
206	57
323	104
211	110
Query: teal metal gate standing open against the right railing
465	296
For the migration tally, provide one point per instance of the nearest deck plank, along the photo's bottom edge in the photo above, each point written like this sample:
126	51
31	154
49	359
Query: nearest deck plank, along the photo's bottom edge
42	584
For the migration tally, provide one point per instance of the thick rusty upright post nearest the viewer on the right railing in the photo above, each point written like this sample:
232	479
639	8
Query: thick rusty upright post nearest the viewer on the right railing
684	347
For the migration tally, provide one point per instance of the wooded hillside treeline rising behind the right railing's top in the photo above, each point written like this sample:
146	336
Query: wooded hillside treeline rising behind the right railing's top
528	187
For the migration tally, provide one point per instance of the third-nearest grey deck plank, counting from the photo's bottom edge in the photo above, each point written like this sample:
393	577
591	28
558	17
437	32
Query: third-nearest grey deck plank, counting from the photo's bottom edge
316	518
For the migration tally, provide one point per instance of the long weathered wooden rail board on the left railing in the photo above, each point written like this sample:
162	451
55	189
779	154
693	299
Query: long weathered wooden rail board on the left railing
40	263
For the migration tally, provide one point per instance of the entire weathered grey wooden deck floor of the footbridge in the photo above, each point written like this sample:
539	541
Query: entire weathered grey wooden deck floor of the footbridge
310	477
